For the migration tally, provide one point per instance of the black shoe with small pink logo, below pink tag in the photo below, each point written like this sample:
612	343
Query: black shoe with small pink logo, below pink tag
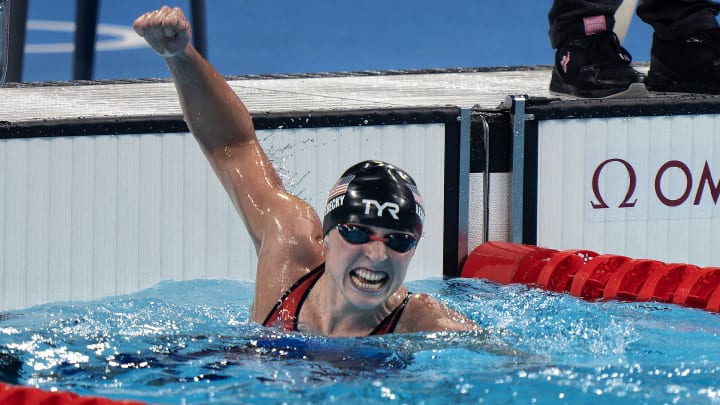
593	66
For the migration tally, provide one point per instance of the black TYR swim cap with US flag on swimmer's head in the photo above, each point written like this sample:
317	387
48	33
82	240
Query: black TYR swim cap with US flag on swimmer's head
378	194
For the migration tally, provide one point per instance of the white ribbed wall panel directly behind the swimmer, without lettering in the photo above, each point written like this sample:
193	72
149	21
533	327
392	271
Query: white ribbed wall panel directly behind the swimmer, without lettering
92	216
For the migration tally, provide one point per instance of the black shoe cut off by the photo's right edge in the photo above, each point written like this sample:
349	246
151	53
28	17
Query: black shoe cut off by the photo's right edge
688	65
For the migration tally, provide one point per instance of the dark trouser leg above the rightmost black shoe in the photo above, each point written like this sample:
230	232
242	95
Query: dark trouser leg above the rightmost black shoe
675	19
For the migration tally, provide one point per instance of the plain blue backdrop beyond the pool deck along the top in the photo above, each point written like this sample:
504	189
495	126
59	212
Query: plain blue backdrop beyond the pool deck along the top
283	36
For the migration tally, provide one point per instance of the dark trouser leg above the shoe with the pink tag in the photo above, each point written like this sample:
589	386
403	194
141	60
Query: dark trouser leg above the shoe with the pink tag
566	17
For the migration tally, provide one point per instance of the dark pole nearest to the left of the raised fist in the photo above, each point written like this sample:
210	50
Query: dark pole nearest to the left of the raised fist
86	17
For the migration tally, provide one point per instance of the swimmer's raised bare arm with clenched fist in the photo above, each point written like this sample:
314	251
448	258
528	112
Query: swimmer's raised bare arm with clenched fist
223	127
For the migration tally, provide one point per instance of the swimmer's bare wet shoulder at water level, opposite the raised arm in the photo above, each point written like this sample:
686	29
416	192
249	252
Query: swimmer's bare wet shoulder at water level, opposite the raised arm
426	314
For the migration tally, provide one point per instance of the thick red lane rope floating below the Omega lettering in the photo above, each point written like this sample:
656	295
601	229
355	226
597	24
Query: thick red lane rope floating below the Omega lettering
586	274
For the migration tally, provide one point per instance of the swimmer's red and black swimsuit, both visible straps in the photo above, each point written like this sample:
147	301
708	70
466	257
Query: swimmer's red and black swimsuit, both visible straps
286	312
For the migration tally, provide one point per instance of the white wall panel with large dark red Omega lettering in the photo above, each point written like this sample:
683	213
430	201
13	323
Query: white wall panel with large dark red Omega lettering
645	187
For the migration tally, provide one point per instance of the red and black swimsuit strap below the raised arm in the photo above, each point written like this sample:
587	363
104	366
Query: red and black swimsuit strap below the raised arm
286	311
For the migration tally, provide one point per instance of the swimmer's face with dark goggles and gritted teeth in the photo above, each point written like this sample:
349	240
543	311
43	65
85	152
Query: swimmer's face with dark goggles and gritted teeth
367	273
